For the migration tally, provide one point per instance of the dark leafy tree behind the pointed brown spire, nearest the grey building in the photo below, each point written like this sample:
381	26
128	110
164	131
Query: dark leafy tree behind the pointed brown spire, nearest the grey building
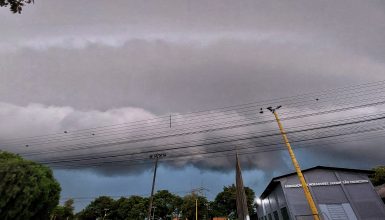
225	202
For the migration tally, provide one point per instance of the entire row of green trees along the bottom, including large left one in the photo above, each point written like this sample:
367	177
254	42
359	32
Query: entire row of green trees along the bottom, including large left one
28	190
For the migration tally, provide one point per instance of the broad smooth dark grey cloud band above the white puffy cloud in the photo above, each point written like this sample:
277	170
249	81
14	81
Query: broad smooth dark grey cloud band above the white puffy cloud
164	76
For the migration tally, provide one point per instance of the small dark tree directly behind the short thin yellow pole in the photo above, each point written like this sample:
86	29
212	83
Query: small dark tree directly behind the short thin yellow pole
188	207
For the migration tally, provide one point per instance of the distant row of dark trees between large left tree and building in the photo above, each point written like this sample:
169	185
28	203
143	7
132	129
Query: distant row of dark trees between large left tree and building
166	206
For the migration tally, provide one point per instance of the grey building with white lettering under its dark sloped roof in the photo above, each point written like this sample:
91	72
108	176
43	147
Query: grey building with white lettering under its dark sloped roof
339	193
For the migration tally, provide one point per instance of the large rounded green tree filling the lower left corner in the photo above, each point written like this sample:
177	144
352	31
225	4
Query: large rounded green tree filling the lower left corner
28	190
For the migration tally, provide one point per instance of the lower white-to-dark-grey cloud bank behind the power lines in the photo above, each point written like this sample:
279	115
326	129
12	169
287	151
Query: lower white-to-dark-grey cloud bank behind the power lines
37	119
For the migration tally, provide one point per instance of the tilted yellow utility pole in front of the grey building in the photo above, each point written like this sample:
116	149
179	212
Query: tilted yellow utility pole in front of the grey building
302	180
